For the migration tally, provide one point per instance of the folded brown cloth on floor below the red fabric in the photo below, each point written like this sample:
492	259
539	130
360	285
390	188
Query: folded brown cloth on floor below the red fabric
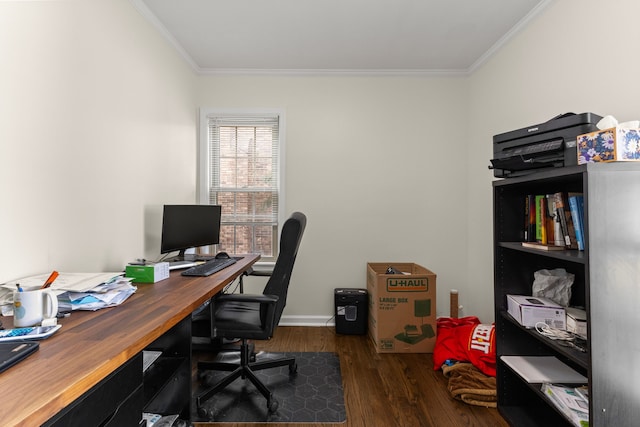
468	384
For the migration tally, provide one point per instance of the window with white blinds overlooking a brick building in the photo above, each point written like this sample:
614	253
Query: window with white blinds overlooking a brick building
240	169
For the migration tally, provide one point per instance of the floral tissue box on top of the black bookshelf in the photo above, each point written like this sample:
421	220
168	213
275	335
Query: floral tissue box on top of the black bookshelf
609	145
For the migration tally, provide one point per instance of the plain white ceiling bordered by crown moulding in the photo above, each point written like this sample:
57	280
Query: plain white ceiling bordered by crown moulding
338	36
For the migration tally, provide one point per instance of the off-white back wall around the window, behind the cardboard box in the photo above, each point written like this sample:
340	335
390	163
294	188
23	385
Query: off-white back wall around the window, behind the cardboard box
378	165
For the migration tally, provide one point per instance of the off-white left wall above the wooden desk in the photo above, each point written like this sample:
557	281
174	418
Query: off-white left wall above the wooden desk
97	130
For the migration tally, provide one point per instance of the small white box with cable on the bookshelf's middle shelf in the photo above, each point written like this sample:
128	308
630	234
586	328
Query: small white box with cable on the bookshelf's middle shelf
528	311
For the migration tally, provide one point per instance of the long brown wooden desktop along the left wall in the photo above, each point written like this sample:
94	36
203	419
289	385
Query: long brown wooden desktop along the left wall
92	345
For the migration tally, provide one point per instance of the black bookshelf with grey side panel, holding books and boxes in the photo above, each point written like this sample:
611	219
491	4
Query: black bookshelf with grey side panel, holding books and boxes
607	274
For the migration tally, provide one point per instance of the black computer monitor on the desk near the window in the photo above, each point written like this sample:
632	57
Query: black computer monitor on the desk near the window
189	226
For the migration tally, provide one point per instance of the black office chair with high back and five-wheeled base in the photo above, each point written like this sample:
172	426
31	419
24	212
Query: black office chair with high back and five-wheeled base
254	317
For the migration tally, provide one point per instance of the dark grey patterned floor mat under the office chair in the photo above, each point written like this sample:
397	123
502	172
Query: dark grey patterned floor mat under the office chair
313	394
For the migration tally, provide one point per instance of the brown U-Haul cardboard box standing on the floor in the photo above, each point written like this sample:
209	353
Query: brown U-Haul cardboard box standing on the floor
402	308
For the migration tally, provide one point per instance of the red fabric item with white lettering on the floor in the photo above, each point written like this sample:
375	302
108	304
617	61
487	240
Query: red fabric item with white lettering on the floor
465	339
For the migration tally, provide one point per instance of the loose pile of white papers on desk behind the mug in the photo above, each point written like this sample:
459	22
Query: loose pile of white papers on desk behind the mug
79	291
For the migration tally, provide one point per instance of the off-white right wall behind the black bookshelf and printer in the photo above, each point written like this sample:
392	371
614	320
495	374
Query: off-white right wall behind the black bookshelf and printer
578	56
